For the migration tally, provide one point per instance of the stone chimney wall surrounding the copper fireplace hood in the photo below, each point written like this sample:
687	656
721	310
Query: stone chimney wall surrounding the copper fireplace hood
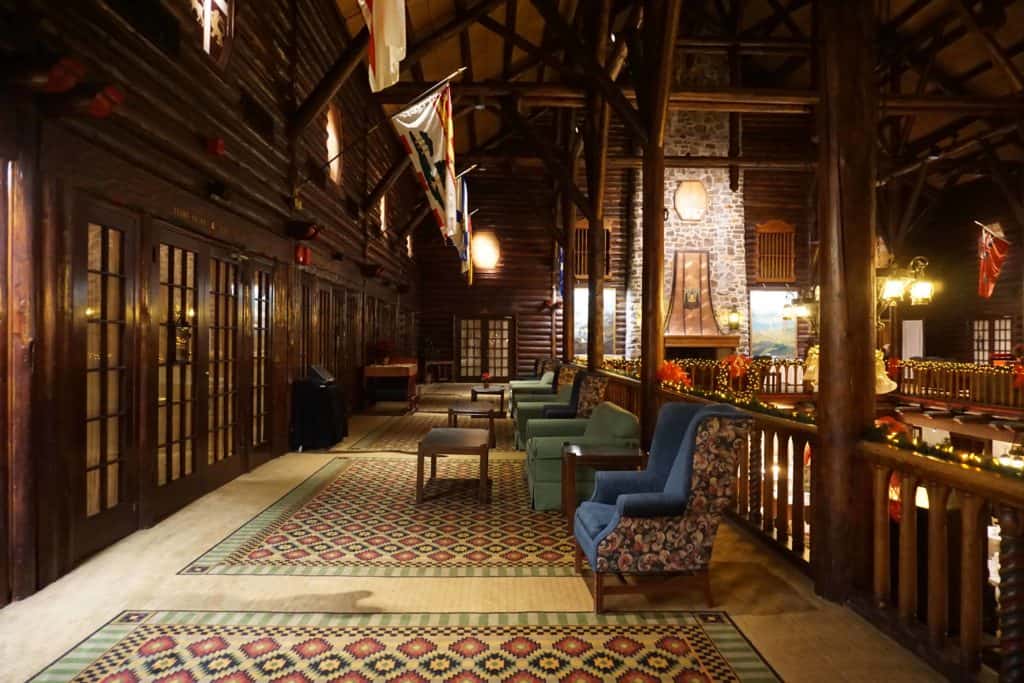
720	232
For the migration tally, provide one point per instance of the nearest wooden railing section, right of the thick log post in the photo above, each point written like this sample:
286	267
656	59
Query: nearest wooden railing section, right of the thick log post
933	596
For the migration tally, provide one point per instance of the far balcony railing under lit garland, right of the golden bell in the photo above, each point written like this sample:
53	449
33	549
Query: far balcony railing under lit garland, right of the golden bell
960	383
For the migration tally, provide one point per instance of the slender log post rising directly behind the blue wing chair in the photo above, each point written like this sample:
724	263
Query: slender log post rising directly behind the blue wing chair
661	25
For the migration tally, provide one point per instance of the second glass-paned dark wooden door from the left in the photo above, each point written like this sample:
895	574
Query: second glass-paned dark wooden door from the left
180	314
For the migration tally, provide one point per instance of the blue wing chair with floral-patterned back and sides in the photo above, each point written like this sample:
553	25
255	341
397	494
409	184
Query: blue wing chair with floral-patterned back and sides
664	520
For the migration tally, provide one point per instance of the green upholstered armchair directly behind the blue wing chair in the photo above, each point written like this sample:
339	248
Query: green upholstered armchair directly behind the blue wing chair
608	425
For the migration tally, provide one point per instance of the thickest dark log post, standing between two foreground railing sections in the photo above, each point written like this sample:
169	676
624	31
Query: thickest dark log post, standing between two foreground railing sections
847	117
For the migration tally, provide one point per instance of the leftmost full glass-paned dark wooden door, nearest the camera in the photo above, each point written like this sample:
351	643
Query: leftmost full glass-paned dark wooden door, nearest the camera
104	473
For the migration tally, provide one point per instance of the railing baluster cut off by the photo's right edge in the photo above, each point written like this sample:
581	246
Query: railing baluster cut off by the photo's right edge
1012	594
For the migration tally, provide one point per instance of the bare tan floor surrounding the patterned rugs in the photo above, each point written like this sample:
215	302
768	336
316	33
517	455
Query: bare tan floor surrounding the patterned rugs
804	638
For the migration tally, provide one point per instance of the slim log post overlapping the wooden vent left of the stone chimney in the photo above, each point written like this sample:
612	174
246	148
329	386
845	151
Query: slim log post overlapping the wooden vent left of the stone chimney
598	156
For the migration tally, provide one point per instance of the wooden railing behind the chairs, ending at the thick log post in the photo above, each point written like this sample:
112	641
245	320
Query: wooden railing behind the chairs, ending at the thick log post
774	483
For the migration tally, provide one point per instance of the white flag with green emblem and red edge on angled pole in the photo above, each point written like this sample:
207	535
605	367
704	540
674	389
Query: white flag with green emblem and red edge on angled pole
426	132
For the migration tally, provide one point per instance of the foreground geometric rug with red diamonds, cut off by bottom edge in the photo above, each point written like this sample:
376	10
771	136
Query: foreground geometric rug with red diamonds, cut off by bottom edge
241	648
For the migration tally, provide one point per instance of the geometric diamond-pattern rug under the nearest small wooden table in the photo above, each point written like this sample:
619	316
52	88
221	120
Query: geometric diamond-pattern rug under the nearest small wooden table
360	518
